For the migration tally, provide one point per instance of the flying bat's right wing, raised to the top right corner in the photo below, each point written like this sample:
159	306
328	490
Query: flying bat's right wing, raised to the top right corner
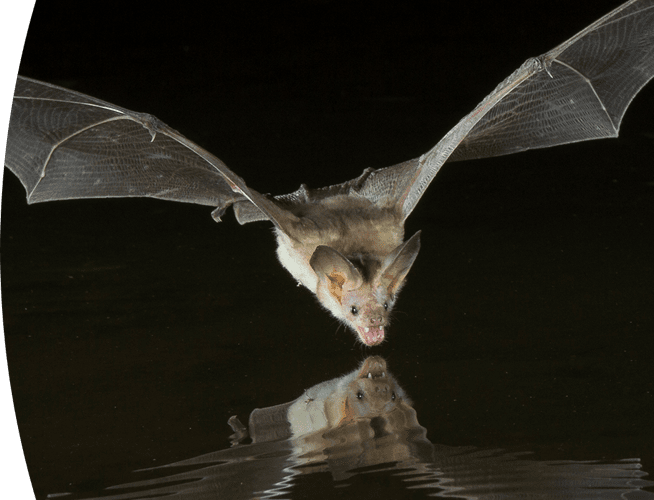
578	91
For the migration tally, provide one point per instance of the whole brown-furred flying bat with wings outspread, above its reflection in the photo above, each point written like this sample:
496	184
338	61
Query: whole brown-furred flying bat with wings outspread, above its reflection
344	242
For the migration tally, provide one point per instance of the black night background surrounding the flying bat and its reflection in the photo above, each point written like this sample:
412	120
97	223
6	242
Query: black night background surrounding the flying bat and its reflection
135	328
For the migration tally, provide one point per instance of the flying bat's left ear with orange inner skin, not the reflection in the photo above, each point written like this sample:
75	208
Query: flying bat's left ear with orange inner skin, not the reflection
339	273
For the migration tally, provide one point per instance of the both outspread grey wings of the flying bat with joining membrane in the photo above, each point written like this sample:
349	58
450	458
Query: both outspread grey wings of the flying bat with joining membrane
63	144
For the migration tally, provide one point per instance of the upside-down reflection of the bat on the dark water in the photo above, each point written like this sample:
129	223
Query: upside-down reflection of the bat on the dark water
367	392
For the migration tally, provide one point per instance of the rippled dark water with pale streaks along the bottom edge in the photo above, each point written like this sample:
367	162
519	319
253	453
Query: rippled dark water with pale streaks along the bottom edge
382	467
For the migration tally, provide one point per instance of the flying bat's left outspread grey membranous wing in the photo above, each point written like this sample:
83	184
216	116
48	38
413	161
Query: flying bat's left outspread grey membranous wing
64	145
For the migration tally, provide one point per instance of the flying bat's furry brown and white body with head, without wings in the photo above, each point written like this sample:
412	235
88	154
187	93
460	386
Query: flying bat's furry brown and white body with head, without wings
349	252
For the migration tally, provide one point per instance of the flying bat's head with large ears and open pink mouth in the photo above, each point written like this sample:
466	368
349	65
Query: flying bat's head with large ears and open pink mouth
362	297
